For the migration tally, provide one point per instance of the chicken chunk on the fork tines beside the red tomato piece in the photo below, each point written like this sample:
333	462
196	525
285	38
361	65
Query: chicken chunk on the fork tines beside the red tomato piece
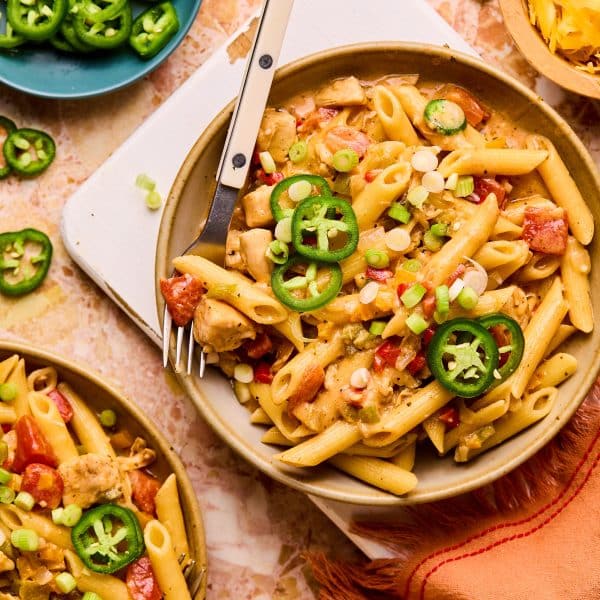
219	327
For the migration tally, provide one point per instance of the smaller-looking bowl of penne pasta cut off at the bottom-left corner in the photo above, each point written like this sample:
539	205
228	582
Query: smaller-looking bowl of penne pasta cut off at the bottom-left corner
94	503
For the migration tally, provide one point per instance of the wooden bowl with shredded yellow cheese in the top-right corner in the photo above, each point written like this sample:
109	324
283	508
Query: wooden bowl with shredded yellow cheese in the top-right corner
560	39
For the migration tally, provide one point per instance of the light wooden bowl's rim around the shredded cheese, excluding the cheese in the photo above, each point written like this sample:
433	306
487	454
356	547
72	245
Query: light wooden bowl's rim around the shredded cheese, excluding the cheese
534	48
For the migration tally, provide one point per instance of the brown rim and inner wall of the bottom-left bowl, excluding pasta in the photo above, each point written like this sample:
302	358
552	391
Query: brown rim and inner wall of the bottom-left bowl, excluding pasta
100	395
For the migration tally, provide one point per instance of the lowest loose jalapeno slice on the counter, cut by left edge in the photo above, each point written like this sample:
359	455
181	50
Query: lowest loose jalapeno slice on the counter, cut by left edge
25	258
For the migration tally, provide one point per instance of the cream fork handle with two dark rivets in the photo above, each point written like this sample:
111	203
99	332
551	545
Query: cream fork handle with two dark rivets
248	113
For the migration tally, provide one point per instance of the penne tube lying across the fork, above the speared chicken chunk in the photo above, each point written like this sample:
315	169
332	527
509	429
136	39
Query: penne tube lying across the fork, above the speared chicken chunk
246	297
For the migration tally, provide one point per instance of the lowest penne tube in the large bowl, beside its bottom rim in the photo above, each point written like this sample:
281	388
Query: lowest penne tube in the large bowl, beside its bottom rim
380	473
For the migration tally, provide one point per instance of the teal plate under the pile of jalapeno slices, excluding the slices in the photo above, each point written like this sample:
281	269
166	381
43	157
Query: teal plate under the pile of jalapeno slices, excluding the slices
46	72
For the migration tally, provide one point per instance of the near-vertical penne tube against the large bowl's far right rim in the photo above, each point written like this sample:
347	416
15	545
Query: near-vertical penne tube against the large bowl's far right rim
575	267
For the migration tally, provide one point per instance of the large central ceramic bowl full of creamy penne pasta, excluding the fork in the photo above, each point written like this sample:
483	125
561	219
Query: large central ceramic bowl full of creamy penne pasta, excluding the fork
404	313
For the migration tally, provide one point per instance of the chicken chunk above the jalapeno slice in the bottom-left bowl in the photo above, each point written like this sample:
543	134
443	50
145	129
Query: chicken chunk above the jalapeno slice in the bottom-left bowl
90	479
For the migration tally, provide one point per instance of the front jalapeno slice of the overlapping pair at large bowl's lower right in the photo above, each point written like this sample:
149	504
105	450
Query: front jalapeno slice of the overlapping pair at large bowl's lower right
462	356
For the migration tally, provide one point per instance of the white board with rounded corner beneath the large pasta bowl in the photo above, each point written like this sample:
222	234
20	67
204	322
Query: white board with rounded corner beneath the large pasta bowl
109	200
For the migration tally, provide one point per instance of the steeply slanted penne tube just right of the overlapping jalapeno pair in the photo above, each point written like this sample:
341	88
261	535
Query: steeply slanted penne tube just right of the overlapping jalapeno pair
538	335
